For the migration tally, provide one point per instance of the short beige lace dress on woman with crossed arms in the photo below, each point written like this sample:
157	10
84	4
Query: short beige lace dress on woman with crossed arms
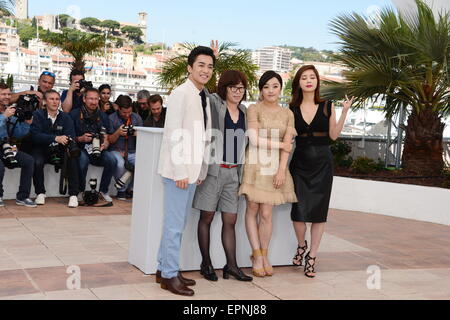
261	164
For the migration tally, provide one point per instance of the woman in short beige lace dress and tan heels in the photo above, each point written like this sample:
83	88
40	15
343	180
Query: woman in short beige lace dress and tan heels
267	181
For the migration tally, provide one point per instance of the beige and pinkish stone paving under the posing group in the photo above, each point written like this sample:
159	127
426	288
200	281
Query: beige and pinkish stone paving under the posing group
38	245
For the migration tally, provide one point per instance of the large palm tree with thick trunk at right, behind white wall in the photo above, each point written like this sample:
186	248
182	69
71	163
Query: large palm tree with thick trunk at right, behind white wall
405	60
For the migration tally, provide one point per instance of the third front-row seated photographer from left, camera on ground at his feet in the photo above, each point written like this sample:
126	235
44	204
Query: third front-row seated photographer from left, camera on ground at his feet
92	127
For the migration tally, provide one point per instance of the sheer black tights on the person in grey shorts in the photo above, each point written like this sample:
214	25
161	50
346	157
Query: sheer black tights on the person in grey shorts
228	237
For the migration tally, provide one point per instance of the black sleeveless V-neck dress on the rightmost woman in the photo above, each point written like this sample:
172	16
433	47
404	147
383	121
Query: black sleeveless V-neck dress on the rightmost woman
312	166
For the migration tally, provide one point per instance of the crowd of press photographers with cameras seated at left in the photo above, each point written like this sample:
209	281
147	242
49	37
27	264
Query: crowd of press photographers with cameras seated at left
69	131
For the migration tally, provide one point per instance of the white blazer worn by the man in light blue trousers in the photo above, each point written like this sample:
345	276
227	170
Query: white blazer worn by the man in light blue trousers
184	153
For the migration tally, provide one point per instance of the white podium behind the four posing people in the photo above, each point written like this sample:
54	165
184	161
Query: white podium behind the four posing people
148	212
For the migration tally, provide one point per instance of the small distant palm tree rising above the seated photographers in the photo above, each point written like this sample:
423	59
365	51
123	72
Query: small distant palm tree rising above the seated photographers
78	44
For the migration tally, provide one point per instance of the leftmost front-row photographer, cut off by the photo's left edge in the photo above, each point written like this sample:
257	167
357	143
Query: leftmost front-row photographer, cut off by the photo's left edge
10	130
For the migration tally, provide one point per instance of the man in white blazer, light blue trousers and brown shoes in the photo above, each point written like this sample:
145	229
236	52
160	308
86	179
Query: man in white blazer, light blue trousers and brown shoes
183	163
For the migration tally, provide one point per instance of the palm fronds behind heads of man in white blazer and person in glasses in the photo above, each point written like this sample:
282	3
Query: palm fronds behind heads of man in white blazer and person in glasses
174	72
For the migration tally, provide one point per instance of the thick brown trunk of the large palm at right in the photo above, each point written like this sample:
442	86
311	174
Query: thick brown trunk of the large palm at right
424	149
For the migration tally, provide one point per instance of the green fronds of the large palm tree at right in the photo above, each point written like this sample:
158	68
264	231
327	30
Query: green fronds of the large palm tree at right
405	59
